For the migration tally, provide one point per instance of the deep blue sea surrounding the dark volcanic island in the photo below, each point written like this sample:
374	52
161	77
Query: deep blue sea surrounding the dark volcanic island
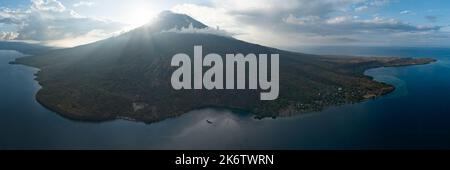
415	116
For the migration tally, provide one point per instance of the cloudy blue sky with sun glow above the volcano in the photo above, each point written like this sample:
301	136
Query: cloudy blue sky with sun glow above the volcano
283	24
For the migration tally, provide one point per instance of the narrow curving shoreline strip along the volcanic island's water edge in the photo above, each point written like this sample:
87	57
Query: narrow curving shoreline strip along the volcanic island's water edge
286	112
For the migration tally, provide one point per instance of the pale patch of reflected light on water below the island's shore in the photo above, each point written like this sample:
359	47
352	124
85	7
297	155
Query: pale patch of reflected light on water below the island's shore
222	129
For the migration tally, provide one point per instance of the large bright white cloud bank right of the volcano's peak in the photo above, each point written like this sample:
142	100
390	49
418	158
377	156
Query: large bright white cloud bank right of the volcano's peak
292	22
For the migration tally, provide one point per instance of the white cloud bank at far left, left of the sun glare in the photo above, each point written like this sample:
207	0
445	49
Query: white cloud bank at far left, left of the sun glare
50	20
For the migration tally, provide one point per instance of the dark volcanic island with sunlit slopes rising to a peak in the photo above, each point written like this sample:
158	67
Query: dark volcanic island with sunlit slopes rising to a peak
128	76
